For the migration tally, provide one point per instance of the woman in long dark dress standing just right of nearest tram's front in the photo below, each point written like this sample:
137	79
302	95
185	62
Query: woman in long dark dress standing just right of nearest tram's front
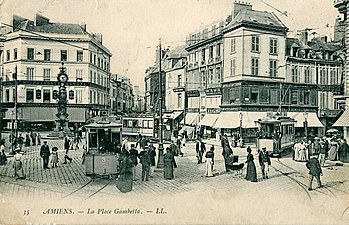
125	180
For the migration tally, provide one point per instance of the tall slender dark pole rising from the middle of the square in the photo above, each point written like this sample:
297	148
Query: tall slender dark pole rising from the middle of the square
160	163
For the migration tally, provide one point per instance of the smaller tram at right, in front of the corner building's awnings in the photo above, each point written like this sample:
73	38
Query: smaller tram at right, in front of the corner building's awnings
276	133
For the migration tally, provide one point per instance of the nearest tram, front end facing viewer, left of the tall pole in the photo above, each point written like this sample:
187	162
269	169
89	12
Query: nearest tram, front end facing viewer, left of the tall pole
104	136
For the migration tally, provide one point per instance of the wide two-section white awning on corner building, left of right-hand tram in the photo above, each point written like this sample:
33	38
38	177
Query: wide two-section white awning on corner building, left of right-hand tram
232	119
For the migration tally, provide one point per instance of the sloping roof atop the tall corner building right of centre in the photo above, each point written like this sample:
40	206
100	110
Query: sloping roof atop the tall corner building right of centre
266	19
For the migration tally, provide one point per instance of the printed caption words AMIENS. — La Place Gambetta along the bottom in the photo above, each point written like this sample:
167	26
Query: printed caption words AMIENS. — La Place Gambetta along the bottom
61	211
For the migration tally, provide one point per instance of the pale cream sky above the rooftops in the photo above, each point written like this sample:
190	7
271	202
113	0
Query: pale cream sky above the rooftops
132	28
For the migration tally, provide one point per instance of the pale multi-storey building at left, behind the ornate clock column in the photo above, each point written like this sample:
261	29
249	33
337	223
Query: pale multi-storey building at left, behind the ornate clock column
32	54
